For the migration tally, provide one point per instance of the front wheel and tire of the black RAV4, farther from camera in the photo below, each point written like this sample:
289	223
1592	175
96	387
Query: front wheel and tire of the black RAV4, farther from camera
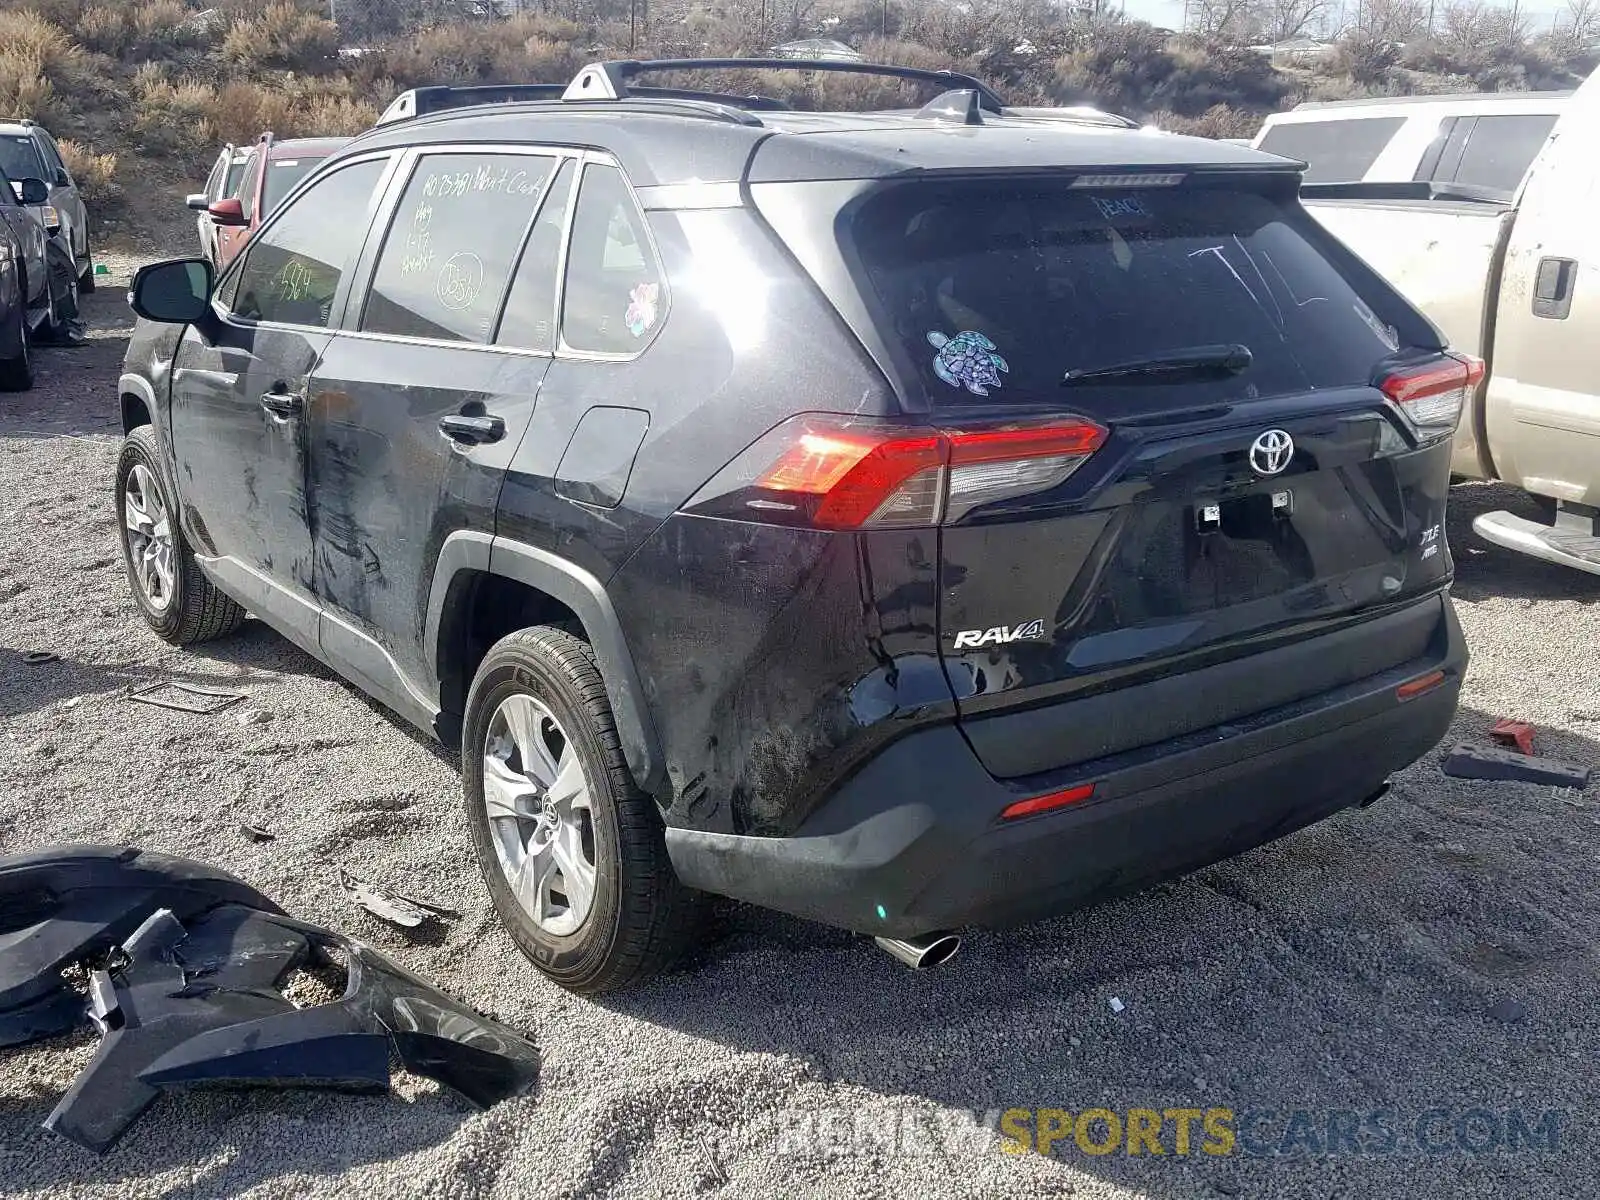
174	596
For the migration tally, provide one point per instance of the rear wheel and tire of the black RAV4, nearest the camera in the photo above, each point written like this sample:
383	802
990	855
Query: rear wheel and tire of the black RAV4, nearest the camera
570	849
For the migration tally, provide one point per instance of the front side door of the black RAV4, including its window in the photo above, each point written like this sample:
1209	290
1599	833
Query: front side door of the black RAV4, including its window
239	399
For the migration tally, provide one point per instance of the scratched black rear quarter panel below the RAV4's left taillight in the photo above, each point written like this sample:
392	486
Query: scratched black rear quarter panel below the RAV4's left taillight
777	662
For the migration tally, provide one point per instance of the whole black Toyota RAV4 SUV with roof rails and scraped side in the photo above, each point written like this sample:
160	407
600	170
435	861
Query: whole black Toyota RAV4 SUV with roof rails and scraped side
908	521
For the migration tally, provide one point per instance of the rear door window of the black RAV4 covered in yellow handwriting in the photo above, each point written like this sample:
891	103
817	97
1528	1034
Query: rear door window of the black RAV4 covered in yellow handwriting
452	246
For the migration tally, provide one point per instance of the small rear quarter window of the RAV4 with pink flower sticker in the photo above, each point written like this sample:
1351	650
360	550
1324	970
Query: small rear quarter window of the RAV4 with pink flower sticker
615	297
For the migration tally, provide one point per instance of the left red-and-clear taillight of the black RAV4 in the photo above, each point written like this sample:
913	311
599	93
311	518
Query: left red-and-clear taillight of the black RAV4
844	474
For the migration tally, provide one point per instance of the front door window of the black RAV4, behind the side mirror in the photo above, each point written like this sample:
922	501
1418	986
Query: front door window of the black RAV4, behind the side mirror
292	270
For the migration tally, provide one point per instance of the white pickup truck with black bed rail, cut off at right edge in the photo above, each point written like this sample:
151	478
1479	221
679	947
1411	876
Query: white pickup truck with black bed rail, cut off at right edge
1519	286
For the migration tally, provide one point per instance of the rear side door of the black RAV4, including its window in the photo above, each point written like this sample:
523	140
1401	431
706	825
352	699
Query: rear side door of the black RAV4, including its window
415	412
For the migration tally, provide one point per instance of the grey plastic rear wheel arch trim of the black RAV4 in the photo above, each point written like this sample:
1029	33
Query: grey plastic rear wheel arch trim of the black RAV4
481	578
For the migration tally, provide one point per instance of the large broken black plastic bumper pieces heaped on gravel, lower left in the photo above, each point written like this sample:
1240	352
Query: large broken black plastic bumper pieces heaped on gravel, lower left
188	970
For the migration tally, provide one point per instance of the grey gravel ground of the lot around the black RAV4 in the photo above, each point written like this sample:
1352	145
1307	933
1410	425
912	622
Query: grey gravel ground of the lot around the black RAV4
1433	953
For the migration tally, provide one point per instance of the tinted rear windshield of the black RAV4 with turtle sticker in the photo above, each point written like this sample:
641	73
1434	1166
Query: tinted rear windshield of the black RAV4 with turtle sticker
999	290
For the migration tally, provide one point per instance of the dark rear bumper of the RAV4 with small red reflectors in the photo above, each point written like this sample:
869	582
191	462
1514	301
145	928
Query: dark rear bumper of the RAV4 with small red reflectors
914	841
